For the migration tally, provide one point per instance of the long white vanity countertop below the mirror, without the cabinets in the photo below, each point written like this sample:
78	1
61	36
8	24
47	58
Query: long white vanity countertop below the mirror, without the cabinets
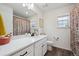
17	44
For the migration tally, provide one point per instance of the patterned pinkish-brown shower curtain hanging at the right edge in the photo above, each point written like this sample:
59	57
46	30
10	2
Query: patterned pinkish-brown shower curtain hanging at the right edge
74	29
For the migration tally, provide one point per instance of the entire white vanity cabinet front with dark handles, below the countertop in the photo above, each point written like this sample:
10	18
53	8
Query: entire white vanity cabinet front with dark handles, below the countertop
37	48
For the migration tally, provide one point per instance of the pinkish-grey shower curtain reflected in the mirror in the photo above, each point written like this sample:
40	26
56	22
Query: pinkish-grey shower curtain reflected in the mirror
20	26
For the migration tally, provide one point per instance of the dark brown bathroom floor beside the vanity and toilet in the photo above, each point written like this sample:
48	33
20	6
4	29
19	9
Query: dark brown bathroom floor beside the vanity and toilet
58	52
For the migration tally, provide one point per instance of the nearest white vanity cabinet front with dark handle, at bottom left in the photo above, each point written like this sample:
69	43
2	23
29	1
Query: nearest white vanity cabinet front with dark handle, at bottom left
25	51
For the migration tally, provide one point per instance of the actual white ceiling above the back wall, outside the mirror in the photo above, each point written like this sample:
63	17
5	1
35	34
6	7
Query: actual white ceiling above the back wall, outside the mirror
45	7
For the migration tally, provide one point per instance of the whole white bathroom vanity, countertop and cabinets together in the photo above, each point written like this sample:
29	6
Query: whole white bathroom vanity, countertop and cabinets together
27	46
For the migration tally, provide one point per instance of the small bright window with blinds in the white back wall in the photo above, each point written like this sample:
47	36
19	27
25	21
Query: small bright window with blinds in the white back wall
63	21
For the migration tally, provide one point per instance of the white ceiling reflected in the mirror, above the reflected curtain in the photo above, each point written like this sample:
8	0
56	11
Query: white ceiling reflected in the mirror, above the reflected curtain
19	10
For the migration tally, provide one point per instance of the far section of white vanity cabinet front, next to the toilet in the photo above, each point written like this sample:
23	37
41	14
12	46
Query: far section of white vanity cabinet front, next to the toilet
41	47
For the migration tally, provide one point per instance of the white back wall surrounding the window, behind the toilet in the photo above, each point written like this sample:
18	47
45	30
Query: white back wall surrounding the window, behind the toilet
50	28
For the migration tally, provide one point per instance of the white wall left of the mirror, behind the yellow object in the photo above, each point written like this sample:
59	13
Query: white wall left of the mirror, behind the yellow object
7	14
